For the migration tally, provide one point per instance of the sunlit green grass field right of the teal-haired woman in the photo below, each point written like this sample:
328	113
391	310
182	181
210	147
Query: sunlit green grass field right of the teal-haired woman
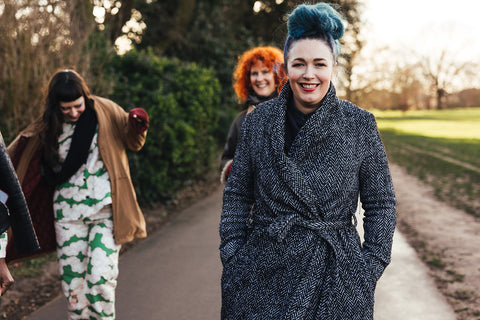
441	148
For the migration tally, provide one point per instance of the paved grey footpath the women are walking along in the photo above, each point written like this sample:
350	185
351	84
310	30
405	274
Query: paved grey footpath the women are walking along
175	275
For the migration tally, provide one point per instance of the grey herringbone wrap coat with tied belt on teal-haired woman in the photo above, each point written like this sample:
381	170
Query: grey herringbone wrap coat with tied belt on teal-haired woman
296	254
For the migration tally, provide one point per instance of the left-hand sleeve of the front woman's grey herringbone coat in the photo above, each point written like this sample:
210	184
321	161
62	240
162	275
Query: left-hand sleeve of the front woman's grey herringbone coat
237	199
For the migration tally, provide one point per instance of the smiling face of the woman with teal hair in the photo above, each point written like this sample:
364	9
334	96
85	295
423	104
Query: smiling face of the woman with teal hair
310	67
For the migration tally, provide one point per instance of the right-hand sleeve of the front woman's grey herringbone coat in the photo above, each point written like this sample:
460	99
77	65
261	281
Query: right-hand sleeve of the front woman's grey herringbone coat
378	201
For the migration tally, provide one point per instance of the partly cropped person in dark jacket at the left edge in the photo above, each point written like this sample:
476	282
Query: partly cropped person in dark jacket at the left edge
14	214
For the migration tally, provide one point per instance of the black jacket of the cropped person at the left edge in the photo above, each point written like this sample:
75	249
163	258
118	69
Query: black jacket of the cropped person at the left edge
15	214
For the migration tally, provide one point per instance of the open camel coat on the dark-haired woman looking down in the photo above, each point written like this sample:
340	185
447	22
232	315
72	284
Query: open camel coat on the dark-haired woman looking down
115	135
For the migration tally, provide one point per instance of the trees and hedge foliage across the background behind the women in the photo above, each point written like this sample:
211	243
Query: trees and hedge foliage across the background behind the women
175	59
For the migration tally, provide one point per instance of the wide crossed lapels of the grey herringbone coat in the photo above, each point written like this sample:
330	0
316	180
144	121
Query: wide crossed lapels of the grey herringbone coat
299	172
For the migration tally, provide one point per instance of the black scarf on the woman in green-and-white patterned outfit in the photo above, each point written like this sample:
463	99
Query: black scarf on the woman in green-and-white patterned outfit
77	154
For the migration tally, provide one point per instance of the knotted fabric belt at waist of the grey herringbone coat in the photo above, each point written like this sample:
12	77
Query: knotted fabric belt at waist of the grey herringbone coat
278	227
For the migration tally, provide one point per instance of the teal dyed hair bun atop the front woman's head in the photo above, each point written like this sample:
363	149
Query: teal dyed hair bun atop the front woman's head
313	20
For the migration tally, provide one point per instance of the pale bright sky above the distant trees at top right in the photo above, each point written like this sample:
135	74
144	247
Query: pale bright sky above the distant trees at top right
424	25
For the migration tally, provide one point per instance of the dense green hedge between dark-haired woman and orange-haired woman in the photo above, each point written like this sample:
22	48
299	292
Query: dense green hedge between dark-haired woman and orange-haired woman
182	101
